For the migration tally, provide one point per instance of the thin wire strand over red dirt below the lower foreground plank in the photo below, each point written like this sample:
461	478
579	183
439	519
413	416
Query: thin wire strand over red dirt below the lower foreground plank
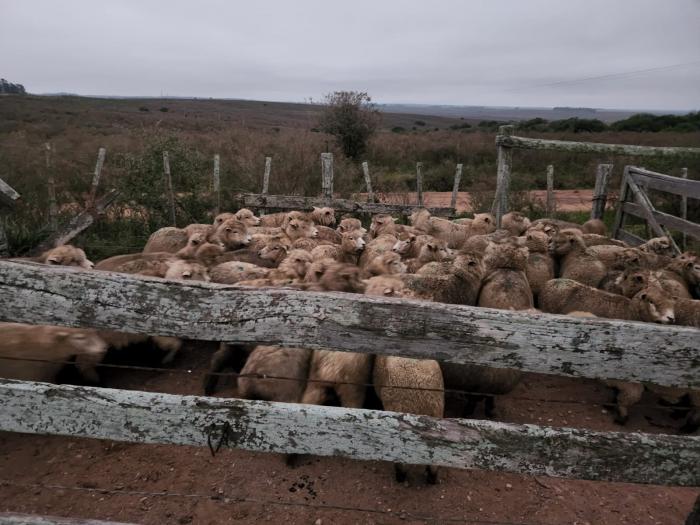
259	501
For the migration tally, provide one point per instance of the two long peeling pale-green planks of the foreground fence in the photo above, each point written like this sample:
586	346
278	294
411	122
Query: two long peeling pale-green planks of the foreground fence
667	355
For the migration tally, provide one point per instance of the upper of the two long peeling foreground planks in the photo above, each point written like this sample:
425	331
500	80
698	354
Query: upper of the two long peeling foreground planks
667	355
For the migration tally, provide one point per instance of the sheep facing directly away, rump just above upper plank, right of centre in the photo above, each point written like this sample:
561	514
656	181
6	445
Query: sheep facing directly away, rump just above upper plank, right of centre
506	285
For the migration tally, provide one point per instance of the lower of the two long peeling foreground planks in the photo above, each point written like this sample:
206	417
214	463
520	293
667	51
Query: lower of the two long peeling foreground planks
145	417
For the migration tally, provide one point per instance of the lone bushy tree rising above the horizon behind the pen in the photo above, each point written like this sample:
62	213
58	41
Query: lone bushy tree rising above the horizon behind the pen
351	118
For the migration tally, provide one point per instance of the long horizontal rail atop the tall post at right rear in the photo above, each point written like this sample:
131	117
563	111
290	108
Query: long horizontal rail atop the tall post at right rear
591	147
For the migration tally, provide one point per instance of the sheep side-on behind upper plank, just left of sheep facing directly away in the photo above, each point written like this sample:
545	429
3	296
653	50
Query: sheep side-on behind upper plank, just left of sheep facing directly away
454	282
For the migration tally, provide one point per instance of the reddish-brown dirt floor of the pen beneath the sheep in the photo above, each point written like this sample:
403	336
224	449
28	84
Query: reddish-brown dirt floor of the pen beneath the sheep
156	484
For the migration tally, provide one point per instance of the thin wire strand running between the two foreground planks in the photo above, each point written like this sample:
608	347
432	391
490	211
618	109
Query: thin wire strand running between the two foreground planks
460	393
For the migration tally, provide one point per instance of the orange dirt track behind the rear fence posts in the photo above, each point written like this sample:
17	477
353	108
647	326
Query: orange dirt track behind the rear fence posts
566	200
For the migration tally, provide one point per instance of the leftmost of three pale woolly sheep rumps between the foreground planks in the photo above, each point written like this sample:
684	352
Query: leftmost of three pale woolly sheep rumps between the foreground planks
290	363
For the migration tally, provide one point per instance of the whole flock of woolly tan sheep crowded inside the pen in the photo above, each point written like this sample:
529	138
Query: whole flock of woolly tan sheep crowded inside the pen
545	265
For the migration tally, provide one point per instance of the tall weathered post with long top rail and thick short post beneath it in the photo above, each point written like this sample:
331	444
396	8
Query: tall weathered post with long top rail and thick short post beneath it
506	142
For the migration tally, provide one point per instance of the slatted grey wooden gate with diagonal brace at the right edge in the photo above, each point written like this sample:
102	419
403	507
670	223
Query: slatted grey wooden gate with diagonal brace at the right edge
635	201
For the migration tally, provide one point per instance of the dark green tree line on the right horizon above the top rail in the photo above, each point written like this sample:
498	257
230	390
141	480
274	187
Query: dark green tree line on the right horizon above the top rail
638	122
